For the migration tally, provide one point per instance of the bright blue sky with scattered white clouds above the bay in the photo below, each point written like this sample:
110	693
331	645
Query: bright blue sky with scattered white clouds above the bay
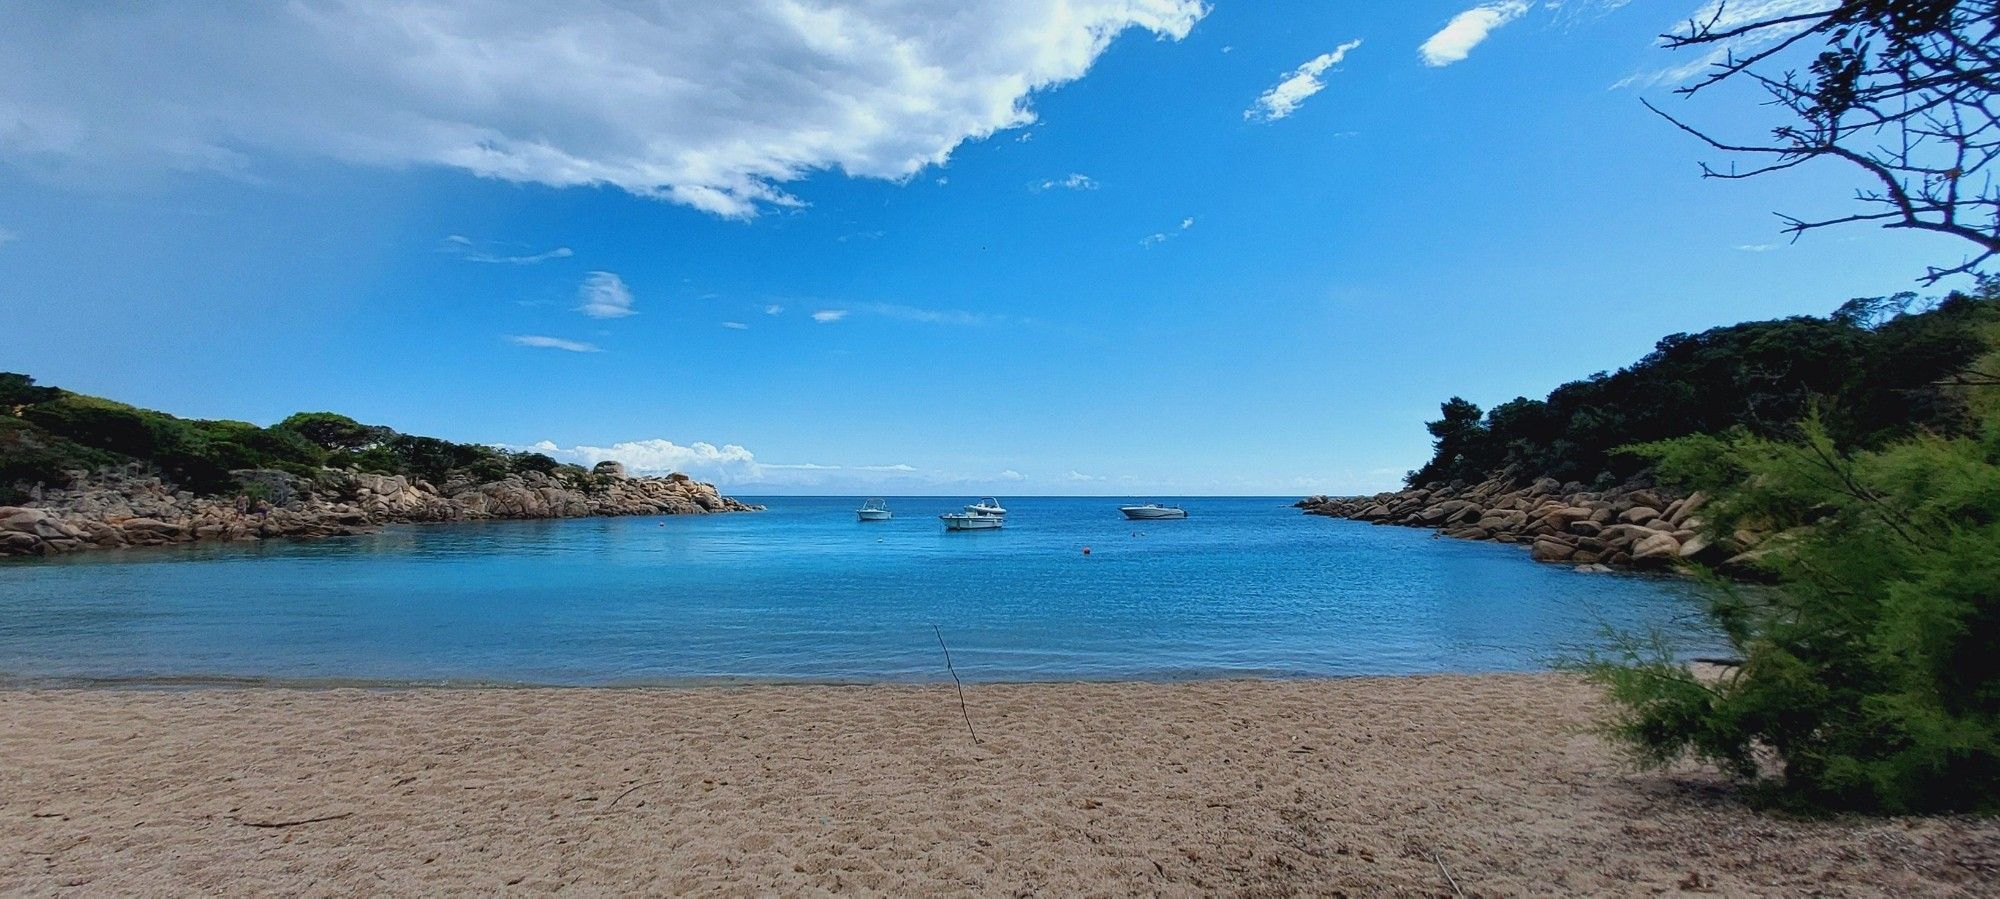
959	247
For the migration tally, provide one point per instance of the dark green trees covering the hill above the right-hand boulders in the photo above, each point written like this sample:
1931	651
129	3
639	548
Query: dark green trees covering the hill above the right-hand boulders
1873	369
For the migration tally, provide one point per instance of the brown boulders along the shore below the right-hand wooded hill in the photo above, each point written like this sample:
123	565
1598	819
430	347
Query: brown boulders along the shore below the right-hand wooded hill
1629	526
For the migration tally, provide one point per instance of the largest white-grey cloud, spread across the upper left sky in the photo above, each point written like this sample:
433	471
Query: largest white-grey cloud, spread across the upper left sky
711	105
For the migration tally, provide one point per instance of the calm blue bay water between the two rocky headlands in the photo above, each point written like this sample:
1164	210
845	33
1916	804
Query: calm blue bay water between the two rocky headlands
807	592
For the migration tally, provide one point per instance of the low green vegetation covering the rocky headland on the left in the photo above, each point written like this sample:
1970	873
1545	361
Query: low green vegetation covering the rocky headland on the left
49	433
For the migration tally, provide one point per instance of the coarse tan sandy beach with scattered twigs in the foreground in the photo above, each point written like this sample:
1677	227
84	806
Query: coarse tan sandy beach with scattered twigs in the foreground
1395	786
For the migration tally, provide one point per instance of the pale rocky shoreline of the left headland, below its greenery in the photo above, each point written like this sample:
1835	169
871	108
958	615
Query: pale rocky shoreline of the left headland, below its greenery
129	508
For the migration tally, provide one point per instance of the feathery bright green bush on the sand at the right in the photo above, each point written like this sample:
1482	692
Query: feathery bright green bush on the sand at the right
1871	672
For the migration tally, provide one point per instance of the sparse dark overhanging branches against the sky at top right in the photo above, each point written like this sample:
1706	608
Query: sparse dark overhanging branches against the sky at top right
1899	91
